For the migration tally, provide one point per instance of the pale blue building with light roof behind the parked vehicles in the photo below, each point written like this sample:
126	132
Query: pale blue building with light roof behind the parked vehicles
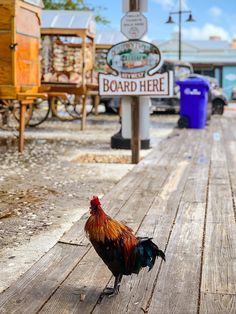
213	57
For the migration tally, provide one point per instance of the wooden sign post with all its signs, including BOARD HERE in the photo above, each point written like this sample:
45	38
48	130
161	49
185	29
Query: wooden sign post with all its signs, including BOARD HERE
134	64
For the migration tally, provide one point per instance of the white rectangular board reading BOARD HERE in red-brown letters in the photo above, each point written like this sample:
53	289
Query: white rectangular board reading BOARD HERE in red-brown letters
159	85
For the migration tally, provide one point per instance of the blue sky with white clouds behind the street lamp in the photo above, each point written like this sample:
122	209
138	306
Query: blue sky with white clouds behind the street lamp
213	17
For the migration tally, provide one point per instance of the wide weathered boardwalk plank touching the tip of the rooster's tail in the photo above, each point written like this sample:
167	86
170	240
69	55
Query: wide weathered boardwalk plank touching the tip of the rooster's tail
179	277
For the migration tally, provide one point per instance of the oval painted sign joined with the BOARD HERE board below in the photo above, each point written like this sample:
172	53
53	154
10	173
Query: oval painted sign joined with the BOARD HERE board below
135	64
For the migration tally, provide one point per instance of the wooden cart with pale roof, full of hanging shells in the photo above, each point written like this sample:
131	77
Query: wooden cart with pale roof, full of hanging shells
65	34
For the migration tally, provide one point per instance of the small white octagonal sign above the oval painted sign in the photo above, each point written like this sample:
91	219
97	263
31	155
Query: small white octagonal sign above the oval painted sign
134	25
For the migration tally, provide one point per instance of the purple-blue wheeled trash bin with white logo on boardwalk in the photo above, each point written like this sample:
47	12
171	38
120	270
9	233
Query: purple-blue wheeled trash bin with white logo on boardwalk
193	102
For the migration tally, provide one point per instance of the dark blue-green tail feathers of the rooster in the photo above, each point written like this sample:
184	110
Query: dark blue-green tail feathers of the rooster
146	254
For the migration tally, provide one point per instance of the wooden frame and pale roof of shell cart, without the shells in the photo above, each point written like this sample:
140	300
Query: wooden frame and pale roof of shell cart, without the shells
72	29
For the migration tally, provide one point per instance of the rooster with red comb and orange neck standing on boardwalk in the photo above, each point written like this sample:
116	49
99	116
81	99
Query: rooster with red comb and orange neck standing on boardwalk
119	248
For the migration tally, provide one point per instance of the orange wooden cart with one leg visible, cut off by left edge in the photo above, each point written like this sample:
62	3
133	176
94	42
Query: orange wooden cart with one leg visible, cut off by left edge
19	53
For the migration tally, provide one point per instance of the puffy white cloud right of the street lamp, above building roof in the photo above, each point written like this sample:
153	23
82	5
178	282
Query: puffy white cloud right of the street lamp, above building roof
204	32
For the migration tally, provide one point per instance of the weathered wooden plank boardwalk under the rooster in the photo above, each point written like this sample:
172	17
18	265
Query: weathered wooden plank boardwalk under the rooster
183	195
